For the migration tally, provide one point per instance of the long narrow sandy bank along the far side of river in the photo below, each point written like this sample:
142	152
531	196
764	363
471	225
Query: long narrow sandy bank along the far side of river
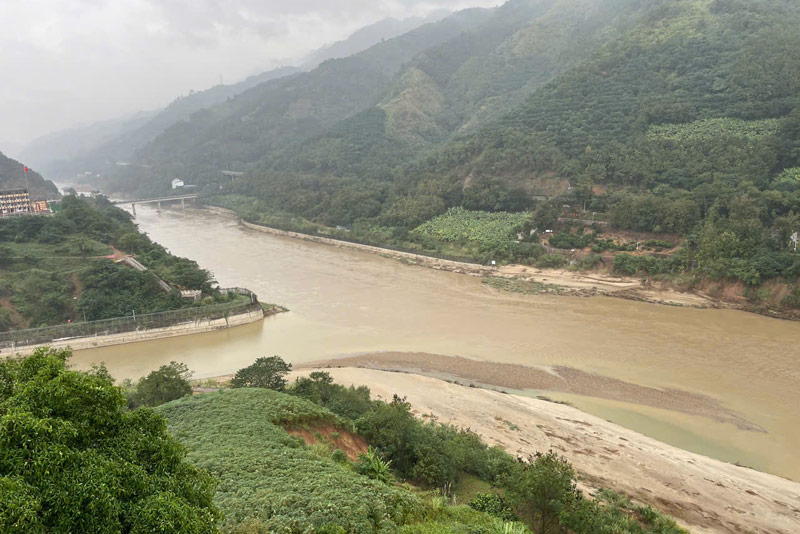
563	282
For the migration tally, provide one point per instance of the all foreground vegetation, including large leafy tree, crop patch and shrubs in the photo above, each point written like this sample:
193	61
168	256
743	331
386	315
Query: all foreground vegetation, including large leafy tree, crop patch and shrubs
76	456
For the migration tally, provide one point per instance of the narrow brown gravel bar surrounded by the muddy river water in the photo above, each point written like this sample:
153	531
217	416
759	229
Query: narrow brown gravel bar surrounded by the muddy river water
557	378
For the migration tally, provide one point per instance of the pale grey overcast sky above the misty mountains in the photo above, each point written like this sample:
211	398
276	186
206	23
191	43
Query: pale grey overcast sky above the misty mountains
68	62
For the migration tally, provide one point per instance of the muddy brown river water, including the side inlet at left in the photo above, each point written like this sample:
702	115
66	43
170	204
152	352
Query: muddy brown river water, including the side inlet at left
346	302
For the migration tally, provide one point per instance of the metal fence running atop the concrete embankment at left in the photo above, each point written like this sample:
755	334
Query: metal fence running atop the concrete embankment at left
132	323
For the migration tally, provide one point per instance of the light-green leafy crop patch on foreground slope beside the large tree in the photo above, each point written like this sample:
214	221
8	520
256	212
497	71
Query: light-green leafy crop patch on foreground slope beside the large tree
268	478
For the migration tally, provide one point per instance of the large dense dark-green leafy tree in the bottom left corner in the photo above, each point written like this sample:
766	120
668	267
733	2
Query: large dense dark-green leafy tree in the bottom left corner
74	459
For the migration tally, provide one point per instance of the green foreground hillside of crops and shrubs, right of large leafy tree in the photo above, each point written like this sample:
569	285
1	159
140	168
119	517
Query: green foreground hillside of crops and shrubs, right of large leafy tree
270	481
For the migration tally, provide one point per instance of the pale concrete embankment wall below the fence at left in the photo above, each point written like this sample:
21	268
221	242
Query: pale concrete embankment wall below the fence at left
197	326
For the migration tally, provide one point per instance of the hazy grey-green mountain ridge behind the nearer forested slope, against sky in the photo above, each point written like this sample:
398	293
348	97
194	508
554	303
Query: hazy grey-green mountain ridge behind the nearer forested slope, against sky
239	133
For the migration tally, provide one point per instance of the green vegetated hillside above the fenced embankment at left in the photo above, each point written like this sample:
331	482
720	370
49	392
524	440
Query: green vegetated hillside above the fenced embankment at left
55	269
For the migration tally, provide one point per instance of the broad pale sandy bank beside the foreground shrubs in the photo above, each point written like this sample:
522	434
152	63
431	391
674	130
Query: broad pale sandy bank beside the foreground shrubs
708	496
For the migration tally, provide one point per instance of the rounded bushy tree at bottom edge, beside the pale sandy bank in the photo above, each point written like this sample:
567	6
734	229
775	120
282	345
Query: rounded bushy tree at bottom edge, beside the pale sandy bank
542	489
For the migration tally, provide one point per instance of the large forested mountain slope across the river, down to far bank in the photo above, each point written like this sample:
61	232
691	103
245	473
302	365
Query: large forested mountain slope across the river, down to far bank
675	117
